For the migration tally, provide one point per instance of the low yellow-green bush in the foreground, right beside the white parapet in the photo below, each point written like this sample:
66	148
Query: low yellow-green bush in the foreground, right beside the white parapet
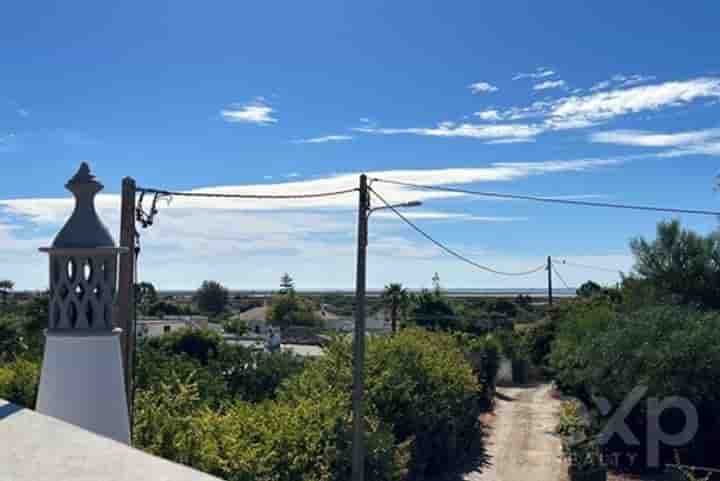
278	441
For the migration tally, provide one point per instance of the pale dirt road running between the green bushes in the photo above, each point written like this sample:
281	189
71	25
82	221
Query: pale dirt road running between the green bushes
520	444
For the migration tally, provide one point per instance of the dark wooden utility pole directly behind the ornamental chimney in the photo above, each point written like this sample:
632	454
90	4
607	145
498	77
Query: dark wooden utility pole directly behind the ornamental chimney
125	313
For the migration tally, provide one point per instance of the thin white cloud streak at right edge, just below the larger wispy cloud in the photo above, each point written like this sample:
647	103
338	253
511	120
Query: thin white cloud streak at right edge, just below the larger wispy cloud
654	139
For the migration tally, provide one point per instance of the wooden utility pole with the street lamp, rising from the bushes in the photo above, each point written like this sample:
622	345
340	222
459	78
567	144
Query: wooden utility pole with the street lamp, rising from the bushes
358	448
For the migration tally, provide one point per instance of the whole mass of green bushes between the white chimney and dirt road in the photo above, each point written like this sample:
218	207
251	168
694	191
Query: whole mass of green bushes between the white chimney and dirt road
423	401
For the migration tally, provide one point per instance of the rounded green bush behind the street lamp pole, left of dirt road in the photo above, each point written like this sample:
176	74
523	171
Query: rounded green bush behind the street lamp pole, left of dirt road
417	381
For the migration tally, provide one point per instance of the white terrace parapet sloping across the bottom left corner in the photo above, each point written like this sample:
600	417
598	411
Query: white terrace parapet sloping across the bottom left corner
34	447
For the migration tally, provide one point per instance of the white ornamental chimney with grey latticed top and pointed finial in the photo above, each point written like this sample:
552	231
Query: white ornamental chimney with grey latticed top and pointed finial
82	376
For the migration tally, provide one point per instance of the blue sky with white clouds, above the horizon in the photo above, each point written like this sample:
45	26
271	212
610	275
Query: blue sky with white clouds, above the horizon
617	101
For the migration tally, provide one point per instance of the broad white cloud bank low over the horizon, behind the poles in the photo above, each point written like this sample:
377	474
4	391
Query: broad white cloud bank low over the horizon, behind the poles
250	243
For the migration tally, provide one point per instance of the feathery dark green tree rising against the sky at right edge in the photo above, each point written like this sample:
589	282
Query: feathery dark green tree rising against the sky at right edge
681	264
